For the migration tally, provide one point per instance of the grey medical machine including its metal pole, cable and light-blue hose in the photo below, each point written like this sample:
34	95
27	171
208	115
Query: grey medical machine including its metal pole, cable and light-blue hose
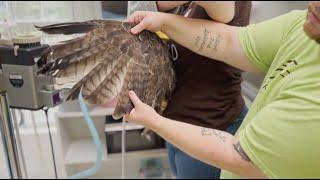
22	88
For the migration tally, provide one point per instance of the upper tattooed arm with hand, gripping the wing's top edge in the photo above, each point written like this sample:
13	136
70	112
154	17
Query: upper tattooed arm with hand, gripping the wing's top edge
211	39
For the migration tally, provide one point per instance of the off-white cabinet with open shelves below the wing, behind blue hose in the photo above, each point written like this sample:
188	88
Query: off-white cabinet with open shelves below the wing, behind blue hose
78	152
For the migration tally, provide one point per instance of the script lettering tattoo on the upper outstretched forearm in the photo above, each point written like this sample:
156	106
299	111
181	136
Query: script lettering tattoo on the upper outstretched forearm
208	41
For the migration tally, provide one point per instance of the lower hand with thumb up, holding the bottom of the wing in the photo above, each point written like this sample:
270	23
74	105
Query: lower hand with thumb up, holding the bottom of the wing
141	113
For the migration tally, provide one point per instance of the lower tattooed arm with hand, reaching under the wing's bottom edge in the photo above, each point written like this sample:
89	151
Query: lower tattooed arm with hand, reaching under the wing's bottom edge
214	147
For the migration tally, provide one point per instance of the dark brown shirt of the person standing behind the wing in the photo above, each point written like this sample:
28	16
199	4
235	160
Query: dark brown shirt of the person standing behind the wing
208	92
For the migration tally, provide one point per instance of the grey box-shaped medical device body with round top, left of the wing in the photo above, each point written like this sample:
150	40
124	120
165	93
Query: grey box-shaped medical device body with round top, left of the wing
25	89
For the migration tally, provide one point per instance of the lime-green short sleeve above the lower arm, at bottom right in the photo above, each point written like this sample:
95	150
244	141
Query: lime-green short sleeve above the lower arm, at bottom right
283	138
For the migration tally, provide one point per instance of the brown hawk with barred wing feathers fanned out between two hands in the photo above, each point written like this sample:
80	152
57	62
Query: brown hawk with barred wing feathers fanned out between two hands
108	61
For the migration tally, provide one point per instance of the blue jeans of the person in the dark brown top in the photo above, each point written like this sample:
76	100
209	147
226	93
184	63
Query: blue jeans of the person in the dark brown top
184	166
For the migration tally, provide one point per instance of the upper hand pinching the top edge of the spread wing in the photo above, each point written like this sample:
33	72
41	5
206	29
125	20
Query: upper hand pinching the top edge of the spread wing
146	20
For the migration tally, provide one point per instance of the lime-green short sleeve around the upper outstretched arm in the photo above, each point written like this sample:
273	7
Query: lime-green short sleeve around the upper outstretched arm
262	41
